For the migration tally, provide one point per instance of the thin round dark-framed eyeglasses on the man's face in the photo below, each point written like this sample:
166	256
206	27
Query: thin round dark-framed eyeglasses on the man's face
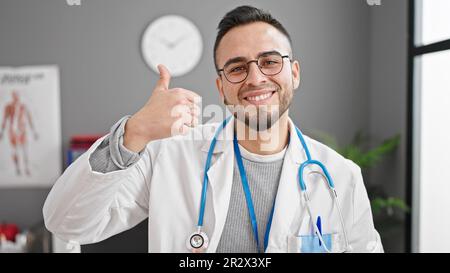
270	64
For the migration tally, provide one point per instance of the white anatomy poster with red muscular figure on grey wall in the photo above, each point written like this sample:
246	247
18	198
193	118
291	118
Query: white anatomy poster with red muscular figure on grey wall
30	129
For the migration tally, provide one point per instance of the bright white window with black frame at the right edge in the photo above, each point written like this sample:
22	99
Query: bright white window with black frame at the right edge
429	124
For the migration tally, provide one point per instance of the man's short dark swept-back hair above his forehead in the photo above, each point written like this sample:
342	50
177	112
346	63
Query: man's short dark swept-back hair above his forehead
245	15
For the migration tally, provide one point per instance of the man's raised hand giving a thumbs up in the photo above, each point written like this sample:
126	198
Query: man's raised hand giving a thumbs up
168	112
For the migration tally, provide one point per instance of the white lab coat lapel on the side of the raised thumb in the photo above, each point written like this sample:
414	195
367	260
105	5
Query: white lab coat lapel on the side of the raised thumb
220	176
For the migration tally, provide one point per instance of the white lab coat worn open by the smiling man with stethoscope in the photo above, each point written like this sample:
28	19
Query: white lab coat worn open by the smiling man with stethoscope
85	206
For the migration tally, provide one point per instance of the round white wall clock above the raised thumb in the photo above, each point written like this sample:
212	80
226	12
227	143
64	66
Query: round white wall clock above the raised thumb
173	41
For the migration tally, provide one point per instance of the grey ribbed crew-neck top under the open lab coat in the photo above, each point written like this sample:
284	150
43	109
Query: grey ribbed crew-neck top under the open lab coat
263	176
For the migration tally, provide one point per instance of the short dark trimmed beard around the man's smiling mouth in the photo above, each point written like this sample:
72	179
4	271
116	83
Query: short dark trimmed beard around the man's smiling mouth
266	115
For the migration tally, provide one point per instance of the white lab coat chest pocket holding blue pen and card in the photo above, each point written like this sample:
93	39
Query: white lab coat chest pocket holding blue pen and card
311	244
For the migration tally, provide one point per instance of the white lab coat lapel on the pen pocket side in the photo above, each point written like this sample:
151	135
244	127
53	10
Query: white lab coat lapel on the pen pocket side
287	204
